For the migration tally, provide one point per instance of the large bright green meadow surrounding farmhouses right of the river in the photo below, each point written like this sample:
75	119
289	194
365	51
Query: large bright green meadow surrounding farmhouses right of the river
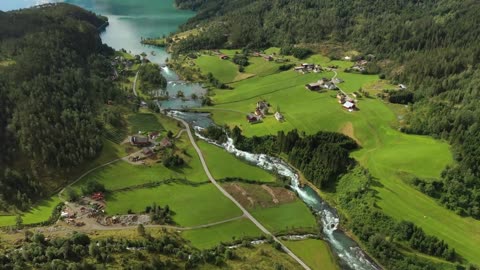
391	156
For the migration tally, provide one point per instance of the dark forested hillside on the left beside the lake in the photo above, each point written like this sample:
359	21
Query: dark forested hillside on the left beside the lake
57	79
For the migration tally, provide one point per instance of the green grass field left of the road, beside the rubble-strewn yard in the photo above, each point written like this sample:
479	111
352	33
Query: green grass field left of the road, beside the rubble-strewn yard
193	206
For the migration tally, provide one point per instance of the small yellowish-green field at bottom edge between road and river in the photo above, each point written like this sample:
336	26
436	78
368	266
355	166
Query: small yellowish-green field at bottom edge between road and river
315	253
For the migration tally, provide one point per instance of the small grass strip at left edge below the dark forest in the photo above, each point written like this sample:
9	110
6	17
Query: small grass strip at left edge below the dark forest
39	213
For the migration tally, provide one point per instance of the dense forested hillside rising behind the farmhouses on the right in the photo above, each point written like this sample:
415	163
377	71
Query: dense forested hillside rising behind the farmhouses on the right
431	46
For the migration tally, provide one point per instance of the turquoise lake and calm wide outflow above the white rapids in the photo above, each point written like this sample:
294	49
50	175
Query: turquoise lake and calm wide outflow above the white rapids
129	21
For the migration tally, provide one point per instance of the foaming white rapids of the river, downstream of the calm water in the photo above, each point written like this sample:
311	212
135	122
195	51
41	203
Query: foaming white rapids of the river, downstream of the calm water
350	254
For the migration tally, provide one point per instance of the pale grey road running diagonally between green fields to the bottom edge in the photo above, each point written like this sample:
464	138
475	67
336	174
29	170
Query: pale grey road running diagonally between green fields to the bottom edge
245	212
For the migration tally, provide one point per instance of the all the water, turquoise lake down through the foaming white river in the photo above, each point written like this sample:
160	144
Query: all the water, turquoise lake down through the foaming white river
130	20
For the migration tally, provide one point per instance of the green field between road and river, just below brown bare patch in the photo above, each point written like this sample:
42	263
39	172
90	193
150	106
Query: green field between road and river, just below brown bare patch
286	217
